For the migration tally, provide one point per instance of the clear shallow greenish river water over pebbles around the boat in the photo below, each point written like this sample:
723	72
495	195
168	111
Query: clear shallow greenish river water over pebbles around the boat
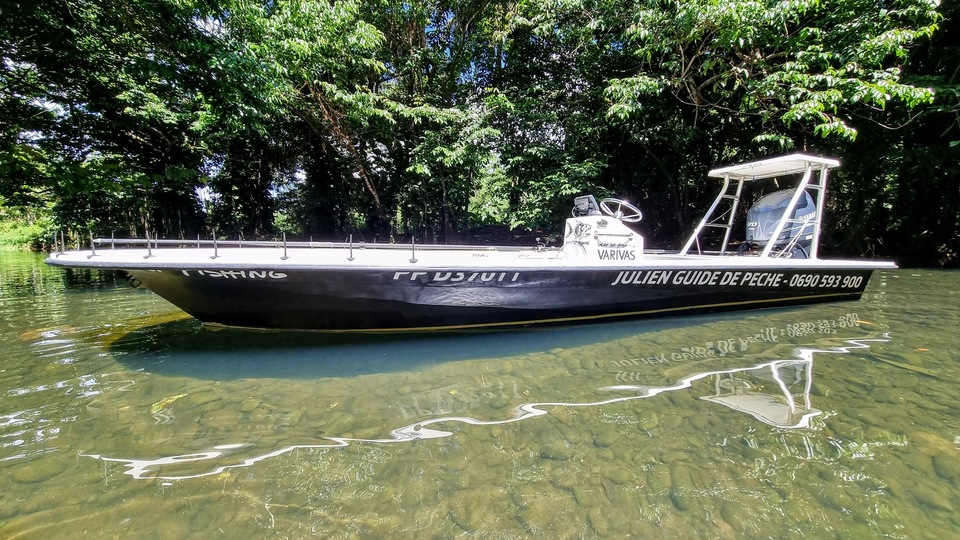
121	417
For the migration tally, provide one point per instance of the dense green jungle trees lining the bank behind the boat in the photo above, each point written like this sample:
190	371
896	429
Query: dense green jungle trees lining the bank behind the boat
388	119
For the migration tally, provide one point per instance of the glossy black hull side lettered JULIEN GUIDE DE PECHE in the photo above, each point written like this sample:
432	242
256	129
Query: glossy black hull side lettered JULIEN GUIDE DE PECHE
376	300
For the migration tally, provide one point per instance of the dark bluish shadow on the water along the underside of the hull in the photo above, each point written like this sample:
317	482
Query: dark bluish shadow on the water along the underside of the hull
188	348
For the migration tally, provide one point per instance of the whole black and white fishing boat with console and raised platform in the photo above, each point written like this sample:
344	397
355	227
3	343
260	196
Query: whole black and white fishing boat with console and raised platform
602	270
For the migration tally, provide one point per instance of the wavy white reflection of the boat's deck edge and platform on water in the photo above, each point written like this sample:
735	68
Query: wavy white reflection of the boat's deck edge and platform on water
775	392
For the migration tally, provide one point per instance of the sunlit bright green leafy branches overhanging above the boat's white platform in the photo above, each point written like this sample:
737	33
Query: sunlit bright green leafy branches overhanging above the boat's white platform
777	65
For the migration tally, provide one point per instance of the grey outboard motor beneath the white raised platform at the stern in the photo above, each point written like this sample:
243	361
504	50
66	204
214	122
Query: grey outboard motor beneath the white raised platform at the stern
763	217
